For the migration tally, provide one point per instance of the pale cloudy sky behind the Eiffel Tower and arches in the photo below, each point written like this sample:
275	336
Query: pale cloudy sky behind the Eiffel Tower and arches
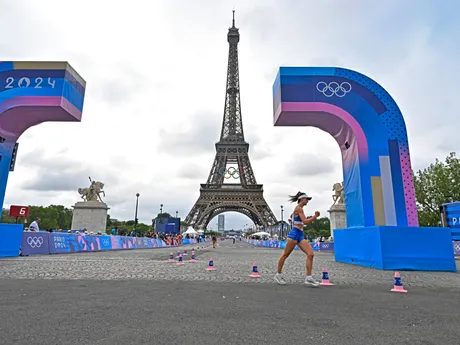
156	73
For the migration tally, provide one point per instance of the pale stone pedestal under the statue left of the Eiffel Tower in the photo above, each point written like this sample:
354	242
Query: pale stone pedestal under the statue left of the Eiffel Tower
90	215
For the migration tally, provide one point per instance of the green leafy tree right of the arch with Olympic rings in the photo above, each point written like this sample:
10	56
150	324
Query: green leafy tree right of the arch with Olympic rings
435	185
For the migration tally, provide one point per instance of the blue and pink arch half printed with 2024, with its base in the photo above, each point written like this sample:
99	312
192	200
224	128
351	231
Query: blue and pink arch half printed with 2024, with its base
32	93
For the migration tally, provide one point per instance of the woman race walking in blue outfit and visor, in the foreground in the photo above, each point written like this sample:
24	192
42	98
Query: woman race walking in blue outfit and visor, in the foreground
296	237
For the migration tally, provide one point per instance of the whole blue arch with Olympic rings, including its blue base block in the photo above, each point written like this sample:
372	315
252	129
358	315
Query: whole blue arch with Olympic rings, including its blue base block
370	130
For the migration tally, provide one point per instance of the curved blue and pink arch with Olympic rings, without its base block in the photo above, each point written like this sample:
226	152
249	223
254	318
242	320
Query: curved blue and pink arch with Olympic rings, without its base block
370	131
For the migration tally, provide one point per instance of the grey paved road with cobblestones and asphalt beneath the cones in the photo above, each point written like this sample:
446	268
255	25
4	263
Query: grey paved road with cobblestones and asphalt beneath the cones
137	297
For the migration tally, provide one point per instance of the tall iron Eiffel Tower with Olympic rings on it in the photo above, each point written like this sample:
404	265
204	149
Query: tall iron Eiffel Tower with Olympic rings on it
245	197
